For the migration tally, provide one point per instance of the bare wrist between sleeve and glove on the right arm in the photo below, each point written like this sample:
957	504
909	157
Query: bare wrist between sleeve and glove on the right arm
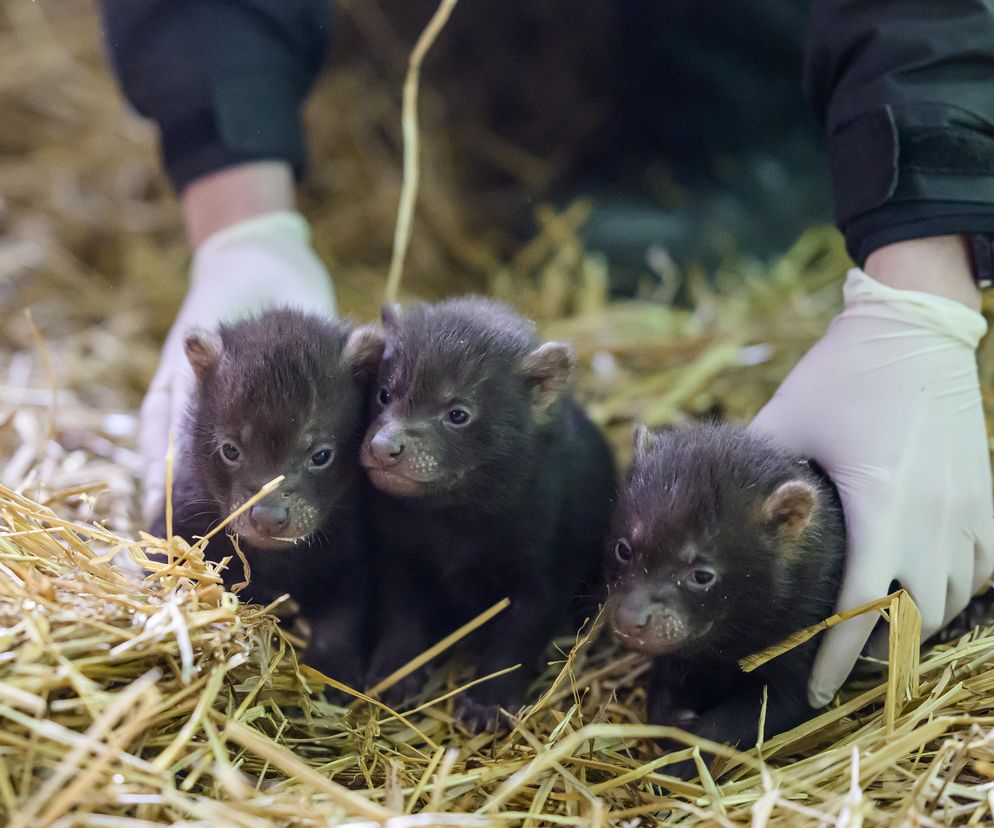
939	265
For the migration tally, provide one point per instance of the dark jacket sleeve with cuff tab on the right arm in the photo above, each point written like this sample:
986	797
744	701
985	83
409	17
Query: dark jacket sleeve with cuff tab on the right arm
905	89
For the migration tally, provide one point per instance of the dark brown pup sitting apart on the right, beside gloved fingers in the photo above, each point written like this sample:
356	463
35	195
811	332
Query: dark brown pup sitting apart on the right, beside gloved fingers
724	545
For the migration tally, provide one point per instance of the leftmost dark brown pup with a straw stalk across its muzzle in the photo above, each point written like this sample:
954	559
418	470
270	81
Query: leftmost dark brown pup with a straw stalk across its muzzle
284	394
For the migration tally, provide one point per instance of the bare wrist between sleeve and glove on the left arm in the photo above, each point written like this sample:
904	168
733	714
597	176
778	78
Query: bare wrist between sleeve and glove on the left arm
228	196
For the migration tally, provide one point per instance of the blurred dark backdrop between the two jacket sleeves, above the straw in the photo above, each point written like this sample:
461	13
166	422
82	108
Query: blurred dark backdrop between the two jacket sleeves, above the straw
684	122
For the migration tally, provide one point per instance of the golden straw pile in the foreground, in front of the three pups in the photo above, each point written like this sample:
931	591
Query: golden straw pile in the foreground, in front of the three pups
135	702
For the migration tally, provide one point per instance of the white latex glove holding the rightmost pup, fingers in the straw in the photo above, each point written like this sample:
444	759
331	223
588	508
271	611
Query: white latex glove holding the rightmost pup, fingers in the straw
888	402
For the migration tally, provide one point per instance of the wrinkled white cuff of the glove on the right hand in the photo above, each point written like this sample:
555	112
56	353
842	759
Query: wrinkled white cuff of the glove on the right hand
865	296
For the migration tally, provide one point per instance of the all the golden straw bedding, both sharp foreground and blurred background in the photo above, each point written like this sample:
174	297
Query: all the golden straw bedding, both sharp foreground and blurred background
134	699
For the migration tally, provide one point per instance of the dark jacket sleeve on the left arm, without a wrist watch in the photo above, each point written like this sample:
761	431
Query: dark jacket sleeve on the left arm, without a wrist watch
223	79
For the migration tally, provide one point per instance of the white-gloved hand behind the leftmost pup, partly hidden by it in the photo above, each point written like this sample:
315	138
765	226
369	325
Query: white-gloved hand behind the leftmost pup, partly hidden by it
257	263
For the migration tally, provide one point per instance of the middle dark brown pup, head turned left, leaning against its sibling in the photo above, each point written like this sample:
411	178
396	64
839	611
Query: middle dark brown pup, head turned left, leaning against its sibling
491	483
